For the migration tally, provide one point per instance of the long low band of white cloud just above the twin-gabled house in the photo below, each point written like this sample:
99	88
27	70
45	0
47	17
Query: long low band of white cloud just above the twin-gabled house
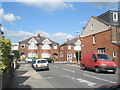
59	37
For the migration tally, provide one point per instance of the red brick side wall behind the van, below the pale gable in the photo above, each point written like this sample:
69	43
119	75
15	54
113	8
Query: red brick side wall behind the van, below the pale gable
103	40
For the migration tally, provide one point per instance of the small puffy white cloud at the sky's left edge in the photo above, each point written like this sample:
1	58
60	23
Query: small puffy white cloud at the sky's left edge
11	18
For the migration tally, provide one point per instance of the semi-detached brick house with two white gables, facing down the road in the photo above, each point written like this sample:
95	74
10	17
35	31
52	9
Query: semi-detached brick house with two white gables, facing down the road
38	46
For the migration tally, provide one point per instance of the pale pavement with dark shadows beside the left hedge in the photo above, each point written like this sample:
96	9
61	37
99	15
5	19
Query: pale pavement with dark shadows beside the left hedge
27	77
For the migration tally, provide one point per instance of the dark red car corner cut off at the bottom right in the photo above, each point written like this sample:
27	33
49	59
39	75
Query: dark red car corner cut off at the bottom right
109	87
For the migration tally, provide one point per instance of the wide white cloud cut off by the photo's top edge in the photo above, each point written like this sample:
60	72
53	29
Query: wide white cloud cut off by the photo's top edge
48	6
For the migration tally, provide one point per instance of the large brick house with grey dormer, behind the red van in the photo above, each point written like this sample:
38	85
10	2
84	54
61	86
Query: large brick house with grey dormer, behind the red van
102	34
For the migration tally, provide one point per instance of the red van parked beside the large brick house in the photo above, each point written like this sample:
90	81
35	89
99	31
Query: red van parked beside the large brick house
98	61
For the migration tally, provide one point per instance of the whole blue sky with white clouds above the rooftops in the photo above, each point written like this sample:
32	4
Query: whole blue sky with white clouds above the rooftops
57	21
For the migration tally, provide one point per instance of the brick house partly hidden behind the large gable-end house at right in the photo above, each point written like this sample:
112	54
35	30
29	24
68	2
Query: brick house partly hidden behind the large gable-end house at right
68	49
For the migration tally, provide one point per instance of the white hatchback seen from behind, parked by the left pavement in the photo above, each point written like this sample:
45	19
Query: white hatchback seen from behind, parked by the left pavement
41	64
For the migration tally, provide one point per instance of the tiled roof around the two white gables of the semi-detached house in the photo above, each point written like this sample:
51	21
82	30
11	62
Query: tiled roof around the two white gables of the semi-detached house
39	40
